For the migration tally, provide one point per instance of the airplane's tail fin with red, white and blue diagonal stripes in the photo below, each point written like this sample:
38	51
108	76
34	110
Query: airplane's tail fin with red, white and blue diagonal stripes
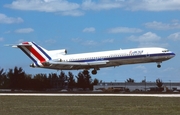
35	52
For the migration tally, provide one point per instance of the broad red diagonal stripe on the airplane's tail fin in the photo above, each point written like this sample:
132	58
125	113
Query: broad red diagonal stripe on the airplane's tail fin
35	53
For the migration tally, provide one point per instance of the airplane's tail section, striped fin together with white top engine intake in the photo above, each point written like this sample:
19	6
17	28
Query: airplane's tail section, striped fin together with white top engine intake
38	54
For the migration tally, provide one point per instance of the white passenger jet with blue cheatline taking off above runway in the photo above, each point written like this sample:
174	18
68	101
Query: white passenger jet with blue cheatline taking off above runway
60	60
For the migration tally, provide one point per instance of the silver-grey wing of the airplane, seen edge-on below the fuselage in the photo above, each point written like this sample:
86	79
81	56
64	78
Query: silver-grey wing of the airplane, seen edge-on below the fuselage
75	65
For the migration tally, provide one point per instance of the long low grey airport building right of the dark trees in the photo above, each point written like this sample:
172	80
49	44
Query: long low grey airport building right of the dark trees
141	86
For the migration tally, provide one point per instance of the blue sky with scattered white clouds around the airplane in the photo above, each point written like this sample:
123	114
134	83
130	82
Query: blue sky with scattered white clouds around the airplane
93	25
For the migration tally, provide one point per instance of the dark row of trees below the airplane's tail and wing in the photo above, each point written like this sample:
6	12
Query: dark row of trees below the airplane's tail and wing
17	79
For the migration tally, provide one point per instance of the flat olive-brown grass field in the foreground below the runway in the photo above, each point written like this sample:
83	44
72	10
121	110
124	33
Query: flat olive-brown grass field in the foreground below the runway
83	105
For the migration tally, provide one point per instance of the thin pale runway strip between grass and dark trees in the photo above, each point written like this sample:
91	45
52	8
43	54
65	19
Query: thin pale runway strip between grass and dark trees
67	94
